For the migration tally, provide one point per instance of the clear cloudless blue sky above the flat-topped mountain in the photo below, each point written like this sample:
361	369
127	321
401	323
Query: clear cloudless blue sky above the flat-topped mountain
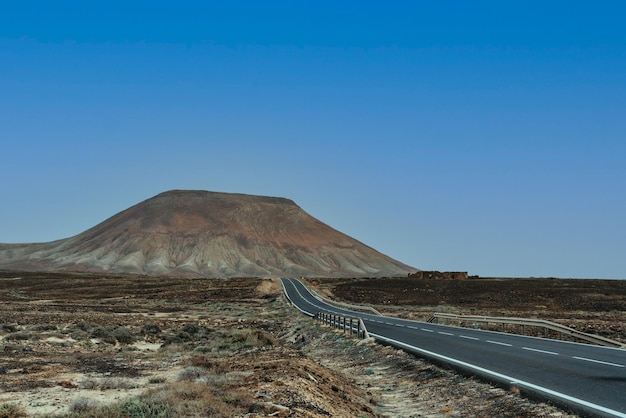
483	136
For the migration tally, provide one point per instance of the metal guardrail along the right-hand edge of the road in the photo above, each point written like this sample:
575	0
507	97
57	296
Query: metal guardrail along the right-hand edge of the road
524	322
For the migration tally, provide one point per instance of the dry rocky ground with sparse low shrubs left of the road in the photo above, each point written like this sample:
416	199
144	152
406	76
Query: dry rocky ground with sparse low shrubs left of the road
221	350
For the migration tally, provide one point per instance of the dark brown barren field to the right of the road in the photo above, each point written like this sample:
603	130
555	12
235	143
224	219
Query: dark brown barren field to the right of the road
592	306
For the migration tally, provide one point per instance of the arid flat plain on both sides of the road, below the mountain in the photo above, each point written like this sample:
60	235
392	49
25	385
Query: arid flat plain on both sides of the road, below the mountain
127	346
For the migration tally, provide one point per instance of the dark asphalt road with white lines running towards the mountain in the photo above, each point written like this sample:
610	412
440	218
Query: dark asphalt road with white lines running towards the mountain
589	379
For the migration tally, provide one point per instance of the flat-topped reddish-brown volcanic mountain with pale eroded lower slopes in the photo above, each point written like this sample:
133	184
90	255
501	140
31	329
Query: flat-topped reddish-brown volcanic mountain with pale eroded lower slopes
209	234
